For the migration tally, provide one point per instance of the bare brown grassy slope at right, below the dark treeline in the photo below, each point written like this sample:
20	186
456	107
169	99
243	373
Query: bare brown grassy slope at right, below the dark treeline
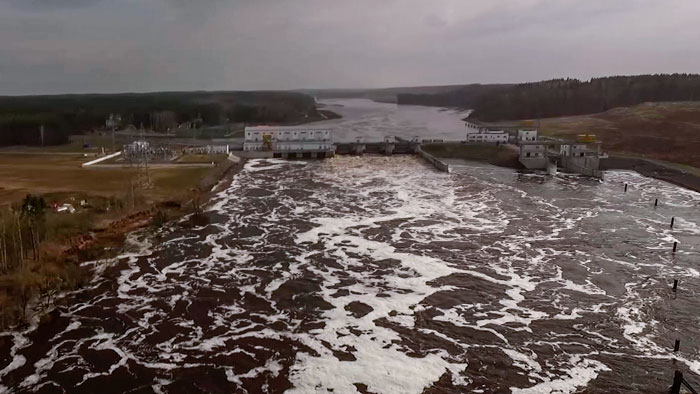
662	131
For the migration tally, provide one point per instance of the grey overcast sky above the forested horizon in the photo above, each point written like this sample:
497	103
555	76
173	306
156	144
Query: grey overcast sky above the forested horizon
60	46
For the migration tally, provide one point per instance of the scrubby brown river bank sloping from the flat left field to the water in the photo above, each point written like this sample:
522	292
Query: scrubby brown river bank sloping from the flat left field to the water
31	281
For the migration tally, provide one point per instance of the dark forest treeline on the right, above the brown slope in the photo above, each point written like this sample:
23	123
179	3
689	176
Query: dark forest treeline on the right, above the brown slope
563	97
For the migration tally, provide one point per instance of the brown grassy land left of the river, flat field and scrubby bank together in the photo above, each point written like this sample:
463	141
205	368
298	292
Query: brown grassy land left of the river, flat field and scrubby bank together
116	203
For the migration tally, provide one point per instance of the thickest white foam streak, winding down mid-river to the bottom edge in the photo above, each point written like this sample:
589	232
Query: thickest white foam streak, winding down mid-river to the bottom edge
380	363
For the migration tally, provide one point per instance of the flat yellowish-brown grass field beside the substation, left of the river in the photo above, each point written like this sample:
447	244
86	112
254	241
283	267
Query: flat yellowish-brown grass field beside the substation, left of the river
43	173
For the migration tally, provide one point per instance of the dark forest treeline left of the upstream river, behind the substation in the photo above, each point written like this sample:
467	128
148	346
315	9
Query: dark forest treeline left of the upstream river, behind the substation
22	117
